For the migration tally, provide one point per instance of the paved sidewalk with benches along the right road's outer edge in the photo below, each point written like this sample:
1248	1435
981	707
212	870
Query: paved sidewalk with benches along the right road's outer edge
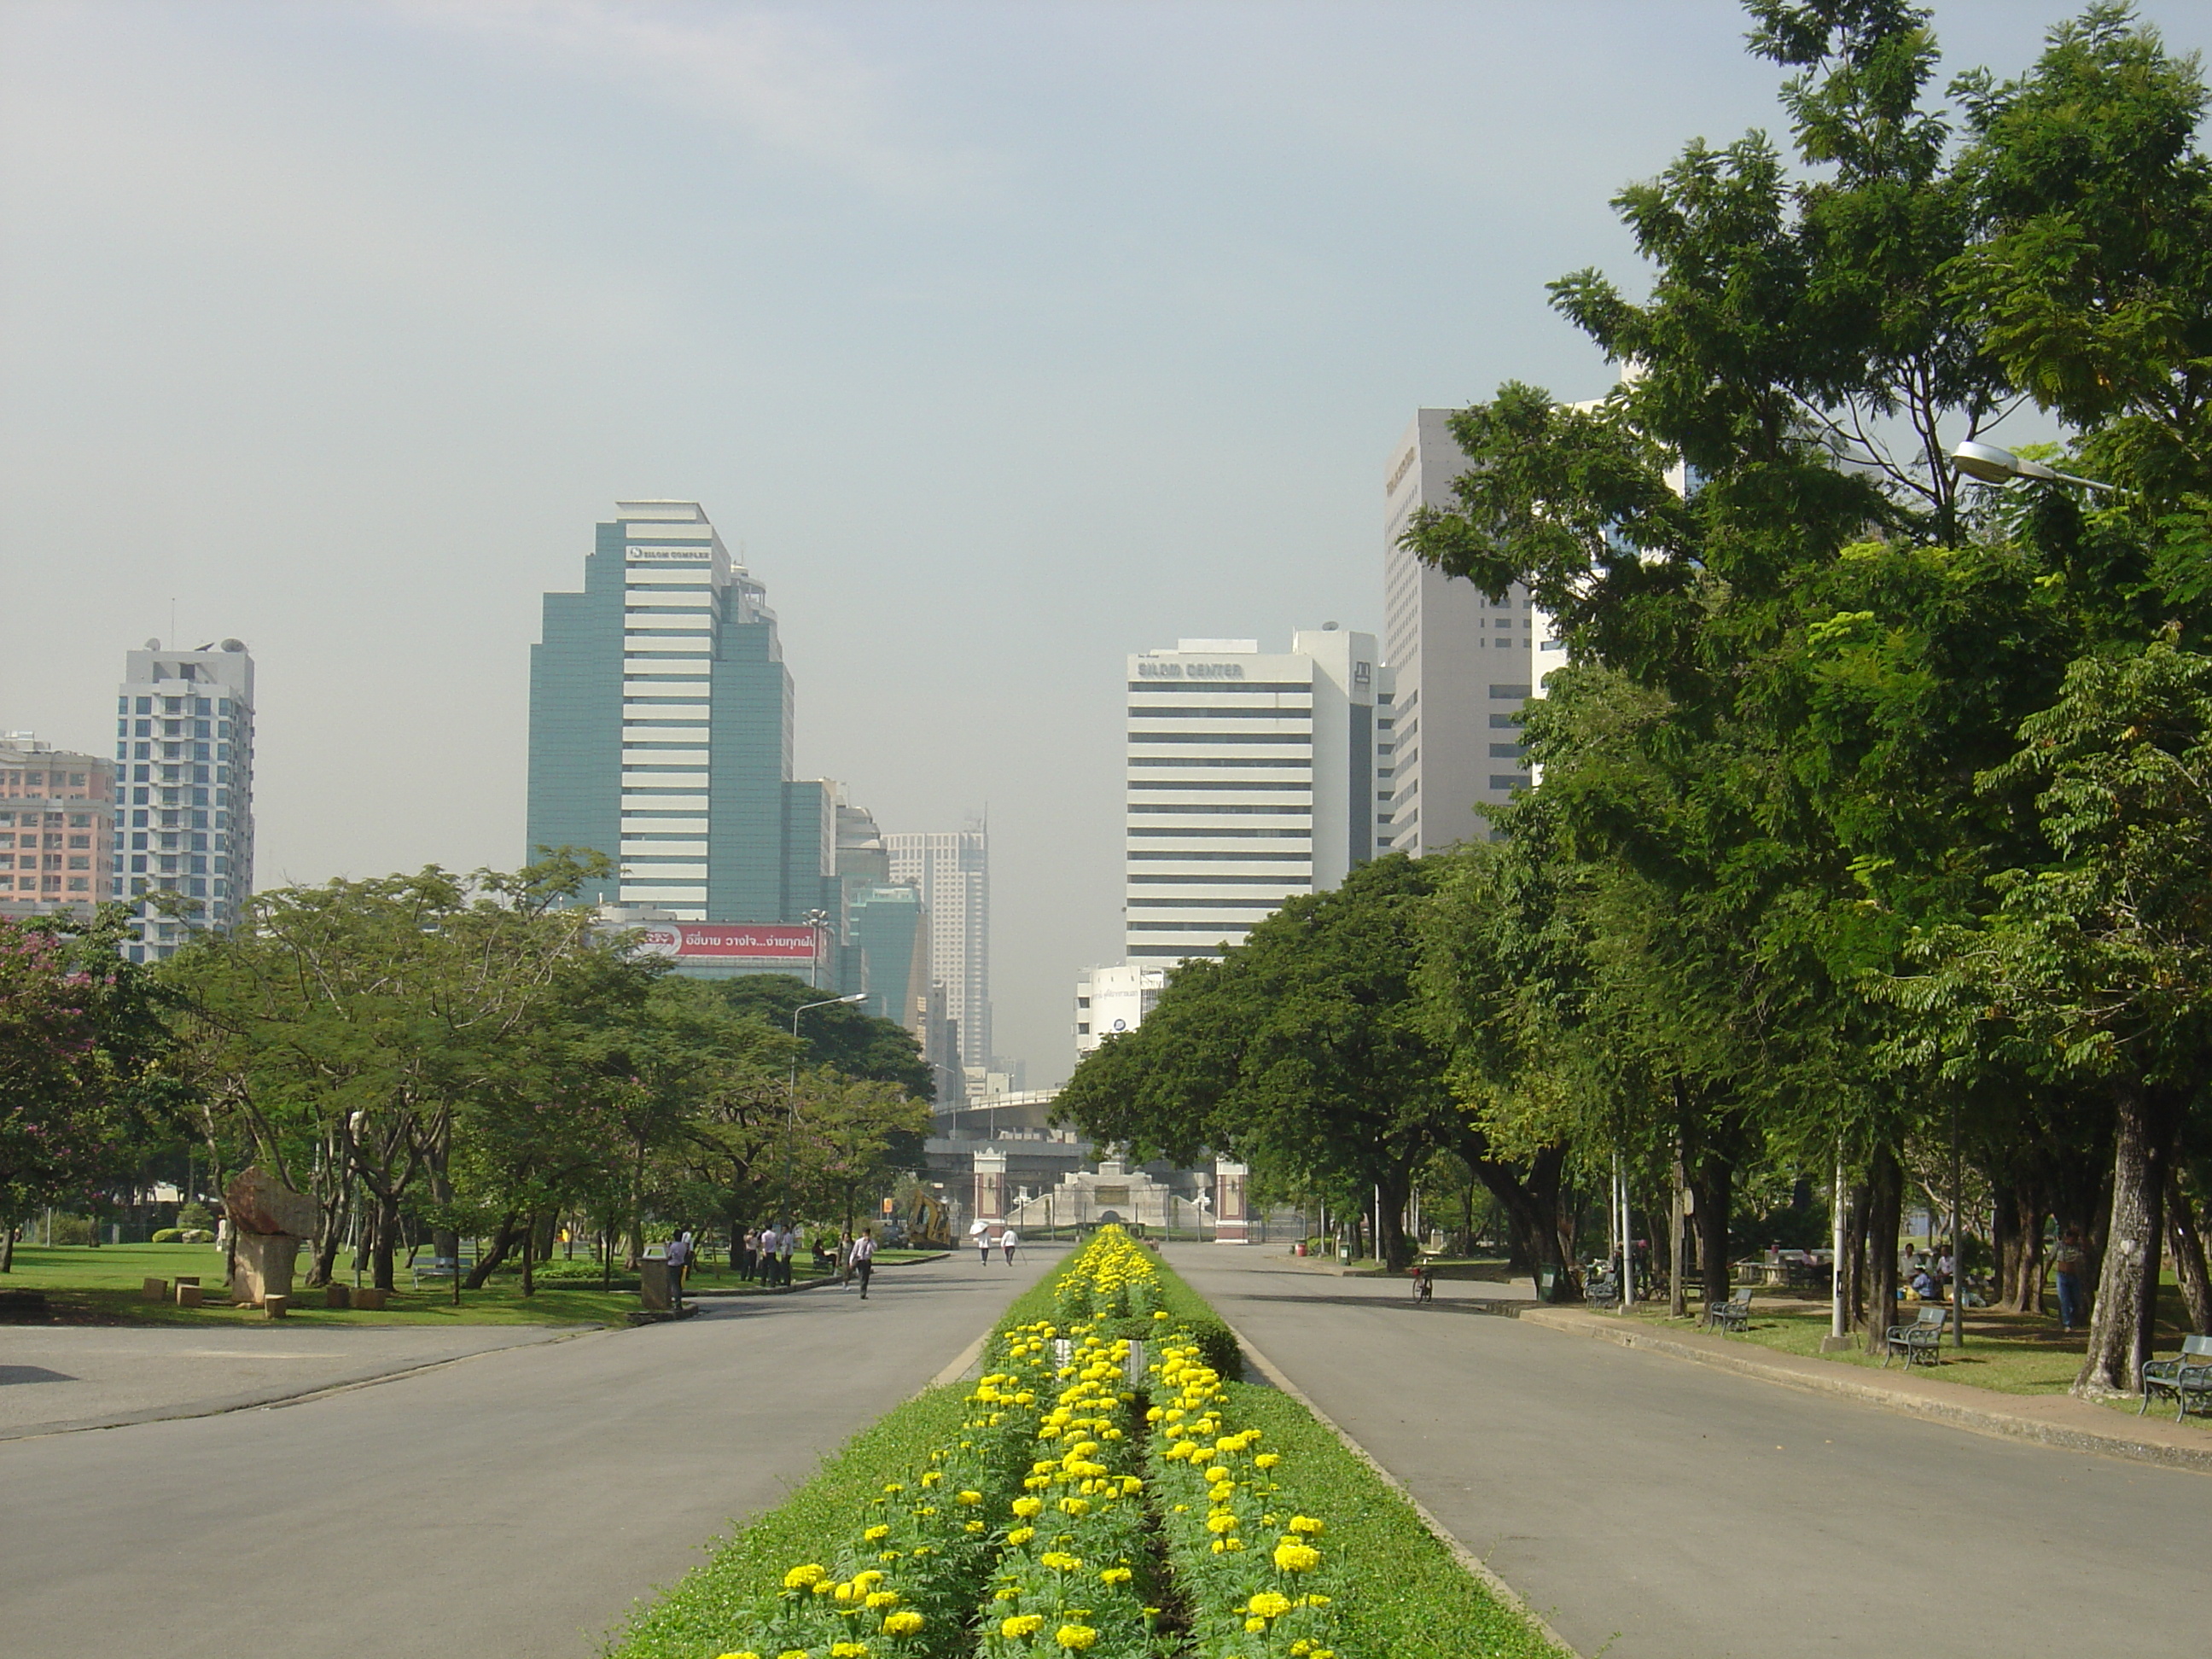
2047	1419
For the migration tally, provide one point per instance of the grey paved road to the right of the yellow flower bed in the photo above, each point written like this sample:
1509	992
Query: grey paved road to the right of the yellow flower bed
1687	1514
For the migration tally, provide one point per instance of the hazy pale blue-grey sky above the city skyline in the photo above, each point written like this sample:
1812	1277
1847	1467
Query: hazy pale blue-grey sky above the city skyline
1003	337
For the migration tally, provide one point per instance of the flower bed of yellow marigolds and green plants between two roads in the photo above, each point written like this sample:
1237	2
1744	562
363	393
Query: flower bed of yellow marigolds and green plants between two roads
1100	1496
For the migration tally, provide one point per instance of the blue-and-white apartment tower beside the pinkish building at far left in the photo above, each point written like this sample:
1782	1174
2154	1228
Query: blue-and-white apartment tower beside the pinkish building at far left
185	733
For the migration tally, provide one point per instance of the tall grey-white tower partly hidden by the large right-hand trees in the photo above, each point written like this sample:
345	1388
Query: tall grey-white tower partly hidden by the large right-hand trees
1461	667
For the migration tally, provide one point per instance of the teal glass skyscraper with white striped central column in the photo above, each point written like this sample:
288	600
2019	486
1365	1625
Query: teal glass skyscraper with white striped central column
662	733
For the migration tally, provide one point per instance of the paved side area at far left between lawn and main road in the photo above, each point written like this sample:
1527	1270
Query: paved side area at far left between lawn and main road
67	1377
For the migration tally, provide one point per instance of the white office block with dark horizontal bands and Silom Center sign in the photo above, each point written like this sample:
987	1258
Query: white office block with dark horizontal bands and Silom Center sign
1251	778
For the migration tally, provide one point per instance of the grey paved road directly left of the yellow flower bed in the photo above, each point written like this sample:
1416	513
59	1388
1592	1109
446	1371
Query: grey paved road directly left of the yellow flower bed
510	1507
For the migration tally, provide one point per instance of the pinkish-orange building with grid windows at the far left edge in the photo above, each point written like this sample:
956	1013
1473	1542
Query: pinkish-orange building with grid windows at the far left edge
56	828
